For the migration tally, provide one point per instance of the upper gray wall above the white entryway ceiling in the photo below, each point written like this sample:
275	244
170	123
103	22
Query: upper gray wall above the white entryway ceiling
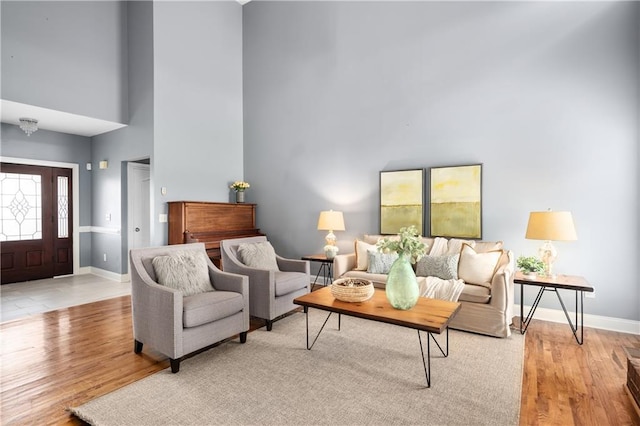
65	55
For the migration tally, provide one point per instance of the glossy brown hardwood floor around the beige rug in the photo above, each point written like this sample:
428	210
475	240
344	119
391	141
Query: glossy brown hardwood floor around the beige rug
67	357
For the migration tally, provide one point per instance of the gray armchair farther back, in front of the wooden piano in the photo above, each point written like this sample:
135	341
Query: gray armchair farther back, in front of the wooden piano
271	292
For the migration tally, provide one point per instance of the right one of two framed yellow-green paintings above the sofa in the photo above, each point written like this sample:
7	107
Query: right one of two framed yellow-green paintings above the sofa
456	201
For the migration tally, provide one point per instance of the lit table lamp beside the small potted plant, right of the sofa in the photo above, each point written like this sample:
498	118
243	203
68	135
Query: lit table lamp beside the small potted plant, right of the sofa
550	226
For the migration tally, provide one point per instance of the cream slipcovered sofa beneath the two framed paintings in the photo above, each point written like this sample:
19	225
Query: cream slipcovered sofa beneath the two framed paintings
487	308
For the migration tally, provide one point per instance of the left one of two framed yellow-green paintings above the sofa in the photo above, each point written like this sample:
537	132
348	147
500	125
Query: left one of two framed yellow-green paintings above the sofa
401	200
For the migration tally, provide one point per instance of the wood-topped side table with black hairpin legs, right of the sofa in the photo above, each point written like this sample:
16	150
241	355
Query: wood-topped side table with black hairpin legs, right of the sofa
566	282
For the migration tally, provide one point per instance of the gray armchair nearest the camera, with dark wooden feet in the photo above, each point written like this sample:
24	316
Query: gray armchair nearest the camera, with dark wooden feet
175	325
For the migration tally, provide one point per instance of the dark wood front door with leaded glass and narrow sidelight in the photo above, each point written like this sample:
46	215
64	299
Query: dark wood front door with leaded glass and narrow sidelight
35	222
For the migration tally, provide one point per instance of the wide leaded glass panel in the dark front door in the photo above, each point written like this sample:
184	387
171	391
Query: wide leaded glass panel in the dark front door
20	207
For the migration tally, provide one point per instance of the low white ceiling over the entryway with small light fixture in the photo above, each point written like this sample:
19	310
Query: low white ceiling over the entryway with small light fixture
56	121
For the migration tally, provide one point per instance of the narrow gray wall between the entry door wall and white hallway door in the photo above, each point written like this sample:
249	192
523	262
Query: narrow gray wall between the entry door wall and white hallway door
131	143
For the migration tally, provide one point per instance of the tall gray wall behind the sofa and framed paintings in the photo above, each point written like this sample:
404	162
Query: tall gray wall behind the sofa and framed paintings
544	94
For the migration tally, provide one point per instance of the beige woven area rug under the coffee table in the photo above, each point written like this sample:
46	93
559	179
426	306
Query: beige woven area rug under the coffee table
366	373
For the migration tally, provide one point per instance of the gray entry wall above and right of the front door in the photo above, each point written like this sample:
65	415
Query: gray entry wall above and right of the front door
59	147
